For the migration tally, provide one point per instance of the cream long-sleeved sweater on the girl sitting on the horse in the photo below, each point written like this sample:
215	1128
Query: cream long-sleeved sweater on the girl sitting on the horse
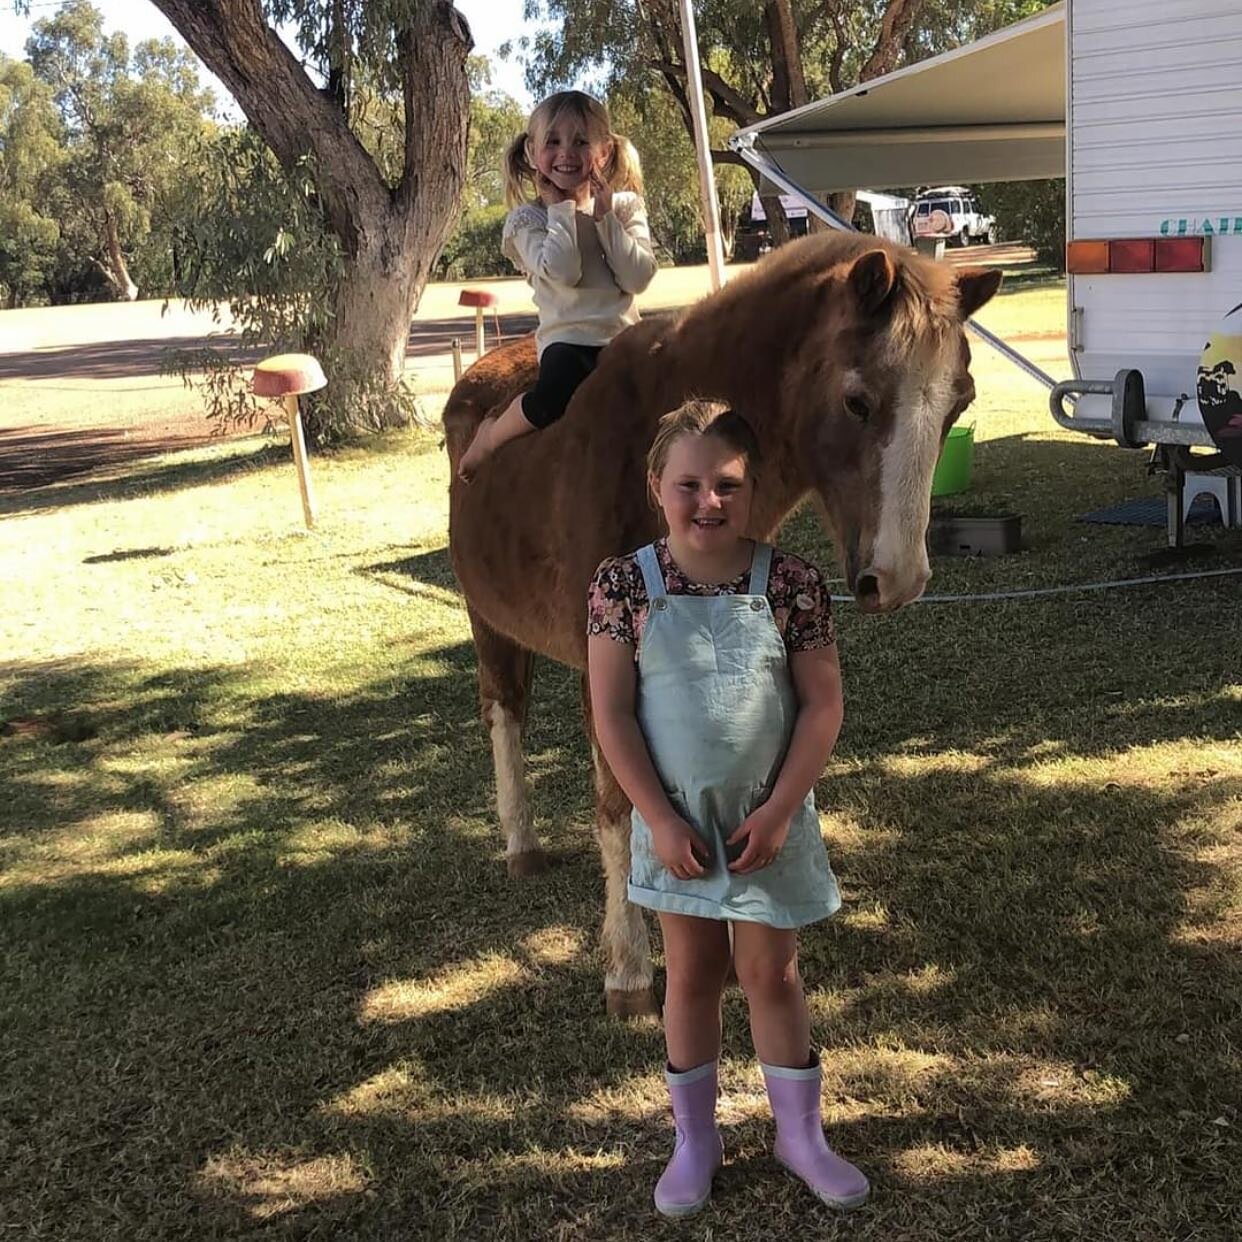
584	273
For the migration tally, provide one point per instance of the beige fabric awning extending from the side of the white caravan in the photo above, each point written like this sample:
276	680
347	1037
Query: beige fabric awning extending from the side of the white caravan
993	111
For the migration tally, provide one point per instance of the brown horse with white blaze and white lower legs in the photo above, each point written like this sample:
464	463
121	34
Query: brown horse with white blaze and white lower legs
849	358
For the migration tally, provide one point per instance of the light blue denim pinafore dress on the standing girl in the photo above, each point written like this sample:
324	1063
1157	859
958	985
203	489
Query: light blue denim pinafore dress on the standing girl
716	705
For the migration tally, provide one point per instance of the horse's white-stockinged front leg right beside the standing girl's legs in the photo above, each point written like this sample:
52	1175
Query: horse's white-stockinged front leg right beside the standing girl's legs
628	983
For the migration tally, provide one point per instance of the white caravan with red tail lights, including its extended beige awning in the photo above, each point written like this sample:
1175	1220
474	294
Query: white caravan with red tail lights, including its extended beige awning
1138	104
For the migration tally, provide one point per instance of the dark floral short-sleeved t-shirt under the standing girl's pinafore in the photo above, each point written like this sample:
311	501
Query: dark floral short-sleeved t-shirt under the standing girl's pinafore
618	602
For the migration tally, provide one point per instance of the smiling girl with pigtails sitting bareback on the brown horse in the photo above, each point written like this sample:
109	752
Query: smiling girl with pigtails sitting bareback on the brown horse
579	233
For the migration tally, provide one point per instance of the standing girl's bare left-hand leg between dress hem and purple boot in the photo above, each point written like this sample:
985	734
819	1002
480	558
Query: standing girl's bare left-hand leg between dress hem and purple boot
696	962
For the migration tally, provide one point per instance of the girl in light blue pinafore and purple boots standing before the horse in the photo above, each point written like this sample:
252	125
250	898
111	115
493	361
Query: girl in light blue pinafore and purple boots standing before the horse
716	696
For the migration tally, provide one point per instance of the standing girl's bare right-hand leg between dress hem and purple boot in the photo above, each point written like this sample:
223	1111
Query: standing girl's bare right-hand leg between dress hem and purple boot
767	963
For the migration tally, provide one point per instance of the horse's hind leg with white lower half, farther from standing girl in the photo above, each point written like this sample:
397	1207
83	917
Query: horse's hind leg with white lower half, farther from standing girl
505	673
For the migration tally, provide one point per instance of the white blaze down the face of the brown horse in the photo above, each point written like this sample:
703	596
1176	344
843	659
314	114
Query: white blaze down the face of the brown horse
900	556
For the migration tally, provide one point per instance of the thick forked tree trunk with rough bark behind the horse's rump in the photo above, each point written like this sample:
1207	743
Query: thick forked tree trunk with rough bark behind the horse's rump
389	235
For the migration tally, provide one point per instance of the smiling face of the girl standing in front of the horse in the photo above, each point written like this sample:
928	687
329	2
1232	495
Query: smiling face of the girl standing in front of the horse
705	492
